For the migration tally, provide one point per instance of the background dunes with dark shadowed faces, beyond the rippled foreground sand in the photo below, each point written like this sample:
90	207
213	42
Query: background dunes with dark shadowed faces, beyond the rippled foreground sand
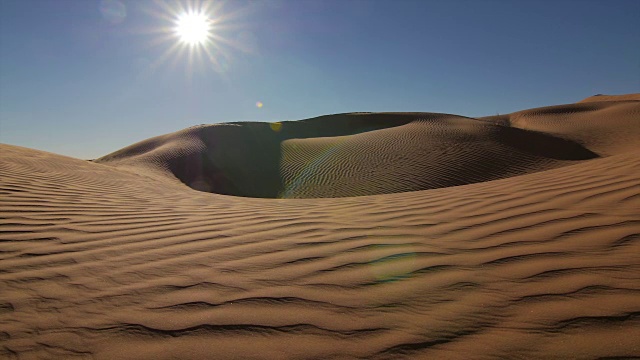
368	154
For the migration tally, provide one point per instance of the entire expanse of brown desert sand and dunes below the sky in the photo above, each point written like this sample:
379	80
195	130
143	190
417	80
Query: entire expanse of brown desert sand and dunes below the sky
350	236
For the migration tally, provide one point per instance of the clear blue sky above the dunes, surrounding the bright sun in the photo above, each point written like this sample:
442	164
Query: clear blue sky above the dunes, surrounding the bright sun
87	77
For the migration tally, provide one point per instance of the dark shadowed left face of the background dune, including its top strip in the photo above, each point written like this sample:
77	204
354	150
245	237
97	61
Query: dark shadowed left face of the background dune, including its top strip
238	159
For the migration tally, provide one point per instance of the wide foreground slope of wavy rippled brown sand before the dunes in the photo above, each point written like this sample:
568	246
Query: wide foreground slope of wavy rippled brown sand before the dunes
100	262
